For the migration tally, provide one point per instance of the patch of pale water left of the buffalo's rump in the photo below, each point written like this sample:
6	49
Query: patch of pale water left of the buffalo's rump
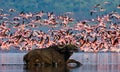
11	62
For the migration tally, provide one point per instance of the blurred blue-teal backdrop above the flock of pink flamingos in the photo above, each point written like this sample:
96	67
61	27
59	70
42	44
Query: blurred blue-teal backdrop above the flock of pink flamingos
81	8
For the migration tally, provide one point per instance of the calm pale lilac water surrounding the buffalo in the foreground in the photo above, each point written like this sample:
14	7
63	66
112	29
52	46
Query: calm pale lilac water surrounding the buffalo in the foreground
92	62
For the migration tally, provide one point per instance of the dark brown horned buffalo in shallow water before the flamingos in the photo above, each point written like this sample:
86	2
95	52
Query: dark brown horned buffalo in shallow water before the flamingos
55	55
